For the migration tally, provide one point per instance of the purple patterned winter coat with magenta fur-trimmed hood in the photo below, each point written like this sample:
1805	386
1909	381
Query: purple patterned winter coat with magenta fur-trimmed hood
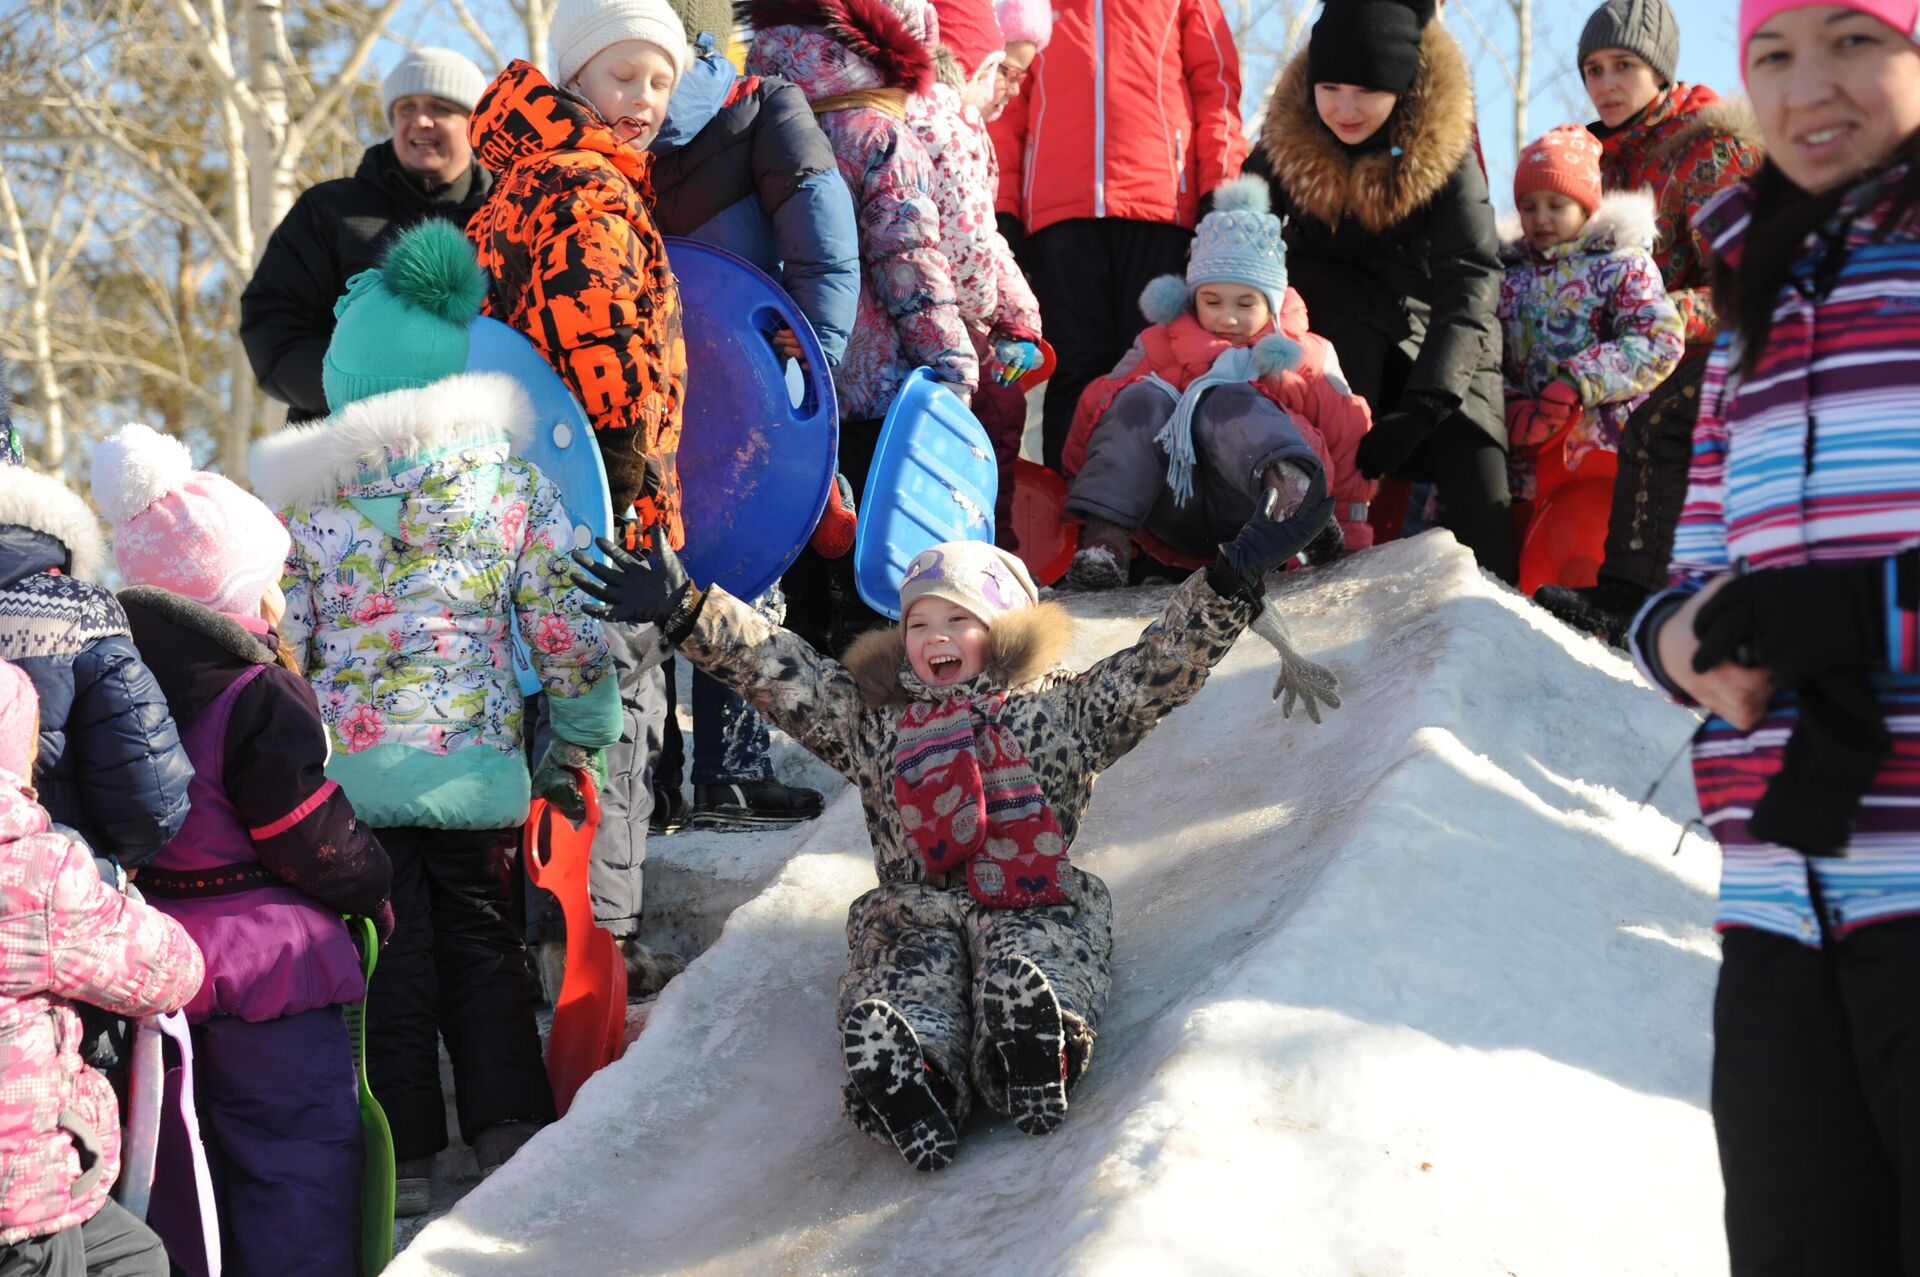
909	312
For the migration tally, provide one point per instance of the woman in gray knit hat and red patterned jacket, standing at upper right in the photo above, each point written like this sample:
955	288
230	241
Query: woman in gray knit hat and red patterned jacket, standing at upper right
1687	145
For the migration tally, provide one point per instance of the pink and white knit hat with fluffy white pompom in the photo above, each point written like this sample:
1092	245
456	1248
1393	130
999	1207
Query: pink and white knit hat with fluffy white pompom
197	535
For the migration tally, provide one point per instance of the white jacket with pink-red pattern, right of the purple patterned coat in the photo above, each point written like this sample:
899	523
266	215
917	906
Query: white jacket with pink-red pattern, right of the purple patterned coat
996	297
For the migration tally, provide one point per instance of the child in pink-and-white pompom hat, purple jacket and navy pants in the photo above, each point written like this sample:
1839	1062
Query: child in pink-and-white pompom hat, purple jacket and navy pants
270	859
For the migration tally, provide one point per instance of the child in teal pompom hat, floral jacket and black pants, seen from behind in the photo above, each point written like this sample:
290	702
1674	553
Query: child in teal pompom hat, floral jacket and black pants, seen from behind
420	546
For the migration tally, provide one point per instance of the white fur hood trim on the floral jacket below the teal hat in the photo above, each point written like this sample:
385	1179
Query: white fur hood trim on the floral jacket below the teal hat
308	466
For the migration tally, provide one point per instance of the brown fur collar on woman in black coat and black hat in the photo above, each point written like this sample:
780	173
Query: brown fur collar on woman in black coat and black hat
1431	126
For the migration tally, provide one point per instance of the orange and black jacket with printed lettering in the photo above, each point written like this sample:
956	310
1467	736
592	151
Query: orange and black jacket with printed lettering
581	270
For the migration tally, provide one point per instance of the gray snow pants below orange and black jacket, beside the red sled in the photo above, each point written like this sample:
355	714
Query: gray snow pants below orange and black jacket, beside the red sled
621	846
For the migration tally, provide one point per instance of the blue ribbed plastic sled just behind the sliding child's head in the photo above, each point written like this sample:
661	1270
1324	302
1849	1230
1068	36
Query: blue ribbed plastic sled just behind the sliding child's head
934	481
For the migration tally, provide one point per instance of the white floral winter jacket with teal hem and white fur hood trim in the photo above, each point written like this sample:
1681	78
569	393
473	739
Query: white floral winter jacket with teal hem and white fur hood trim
420	548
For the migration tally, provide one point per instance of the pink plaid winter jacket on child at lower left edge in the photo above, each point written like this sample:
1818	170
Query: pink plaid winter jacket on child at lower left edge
66	936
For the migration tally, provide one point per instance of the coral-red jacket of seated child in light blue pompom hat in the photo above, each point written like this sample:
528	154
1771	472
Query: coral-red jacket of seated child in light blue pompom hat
1332	418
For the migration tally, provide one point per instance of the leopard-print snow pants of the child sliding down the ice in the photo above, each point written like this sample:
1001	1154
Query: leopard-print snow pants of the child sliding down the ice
921	950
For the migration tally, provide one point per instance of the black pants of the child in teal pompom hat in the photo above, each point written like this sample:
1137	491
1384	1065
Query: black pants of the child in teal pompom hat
454	969
